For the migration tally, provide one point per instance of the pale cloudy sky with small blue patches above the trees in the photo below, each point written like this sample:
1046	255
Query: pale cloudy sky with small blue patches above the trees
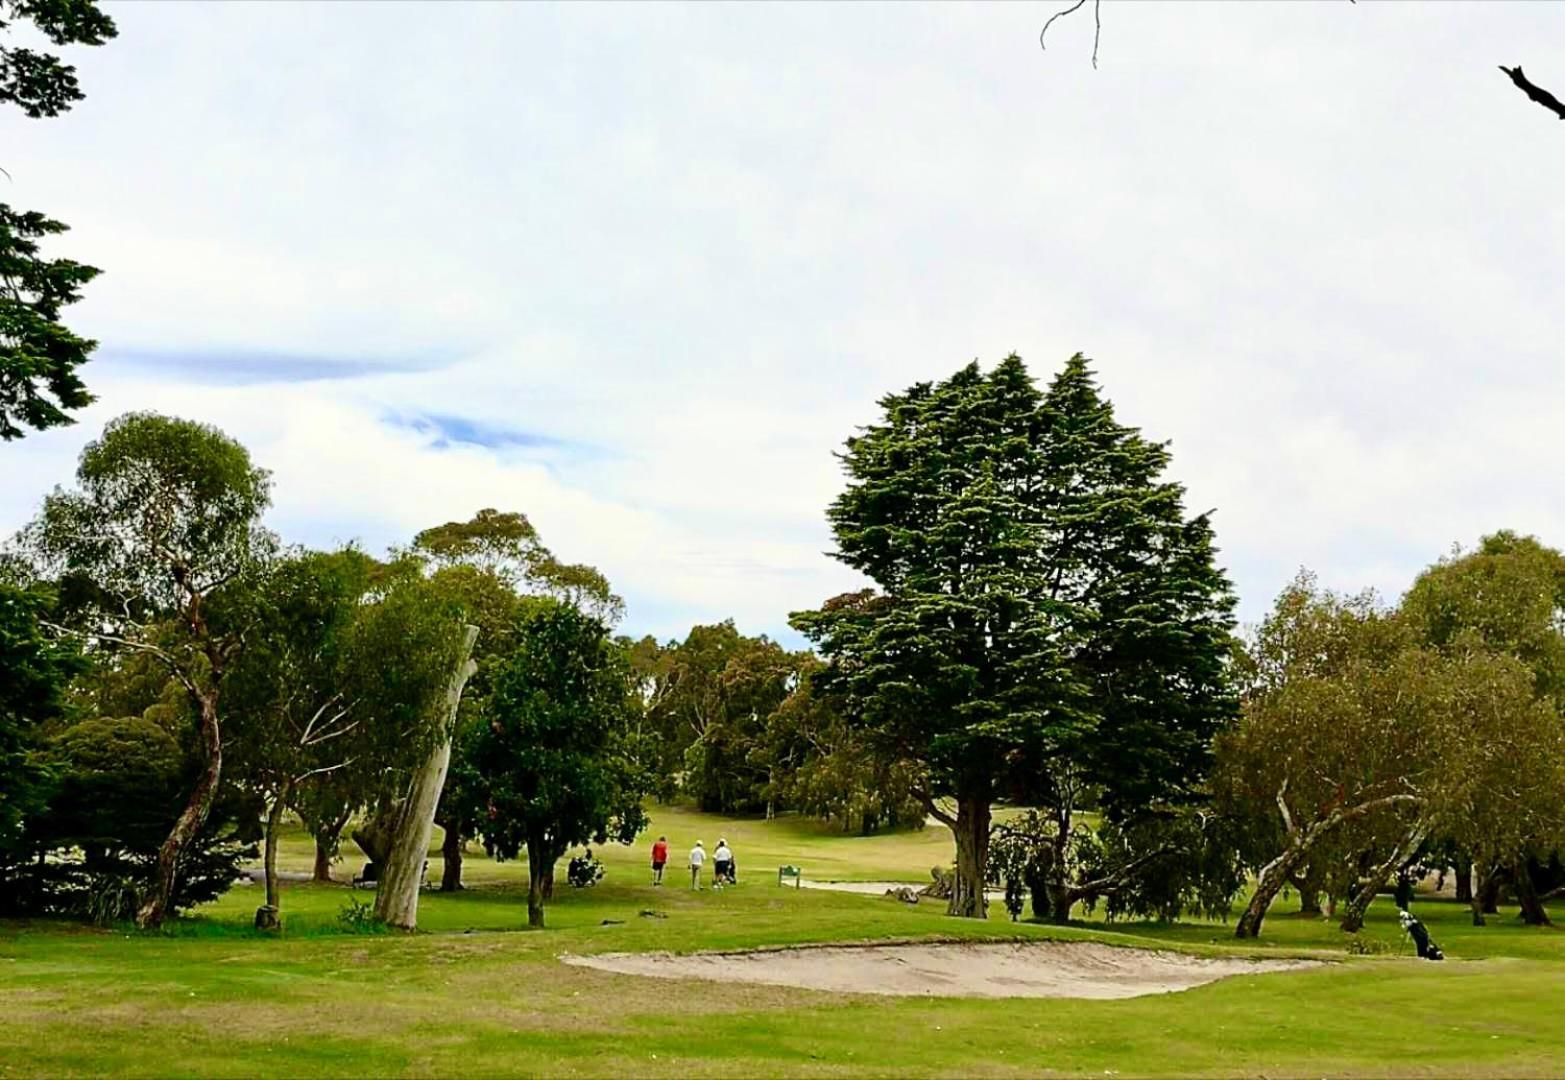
639	270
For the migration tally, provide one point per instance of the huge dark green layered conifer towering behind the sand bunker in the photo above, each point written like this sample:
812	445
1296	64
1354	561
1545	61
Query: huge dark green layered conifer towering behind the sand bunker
1046	617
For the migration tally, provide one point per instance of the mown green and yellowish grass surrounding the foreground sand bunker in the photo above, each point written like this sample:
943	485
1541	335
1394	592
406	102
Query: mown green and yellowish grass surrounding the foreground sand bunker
475	995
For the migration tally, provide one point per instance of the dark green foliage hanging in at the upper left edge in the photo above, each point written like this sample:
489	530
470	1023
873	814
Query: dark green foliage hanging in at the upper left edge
38	355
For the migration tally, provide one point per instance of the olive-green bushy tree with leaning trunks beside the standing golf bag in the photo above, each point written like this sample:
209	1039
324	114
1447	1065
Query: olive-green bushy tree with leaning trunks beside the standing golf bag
1358	740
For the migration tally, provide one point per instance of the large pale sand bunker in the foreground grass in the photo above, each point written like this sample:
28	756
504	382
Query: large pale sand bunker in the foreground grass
1004	970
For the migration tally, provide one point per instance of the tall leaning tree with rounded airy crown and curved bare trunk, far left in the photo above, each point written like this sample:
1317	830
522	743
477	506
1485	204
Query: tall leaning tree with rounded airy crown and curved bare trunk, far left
160	533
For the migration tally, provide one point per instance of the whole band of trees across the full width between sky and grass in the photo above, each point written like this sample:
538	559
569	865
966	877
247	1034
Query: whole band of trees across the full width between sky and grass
1048	628
